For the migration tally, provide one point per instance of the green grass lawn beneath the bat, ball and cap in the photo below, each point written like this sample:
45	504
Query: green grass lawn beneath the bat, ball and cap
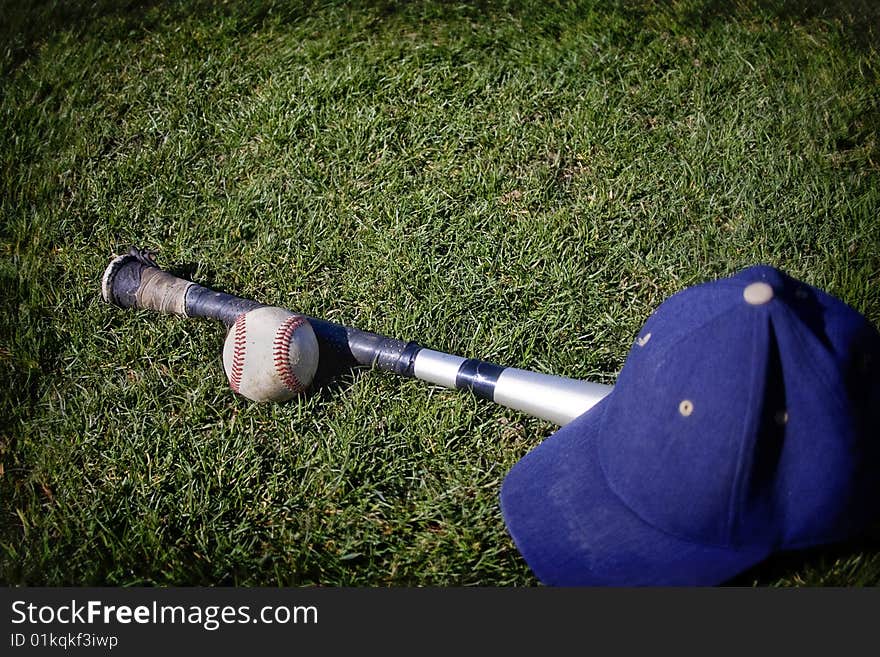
519	182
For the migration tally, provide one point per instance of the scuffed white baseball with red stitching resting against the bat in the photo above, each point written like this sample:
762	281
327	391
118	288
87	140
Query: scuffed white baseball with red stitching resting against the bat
270	354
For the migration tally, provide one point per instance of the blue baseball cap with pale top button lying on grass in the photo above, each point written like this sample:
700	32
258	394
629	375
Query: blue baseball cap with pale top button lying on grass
745	421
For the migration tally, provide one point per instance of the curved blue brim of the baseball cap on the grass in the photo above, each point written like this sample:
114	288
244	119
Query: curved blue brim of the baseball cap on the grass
573	530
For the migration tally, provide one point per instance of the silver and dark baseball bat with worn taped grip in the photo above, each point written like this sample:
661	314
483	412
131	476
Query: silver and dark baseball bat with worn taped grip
134	280
